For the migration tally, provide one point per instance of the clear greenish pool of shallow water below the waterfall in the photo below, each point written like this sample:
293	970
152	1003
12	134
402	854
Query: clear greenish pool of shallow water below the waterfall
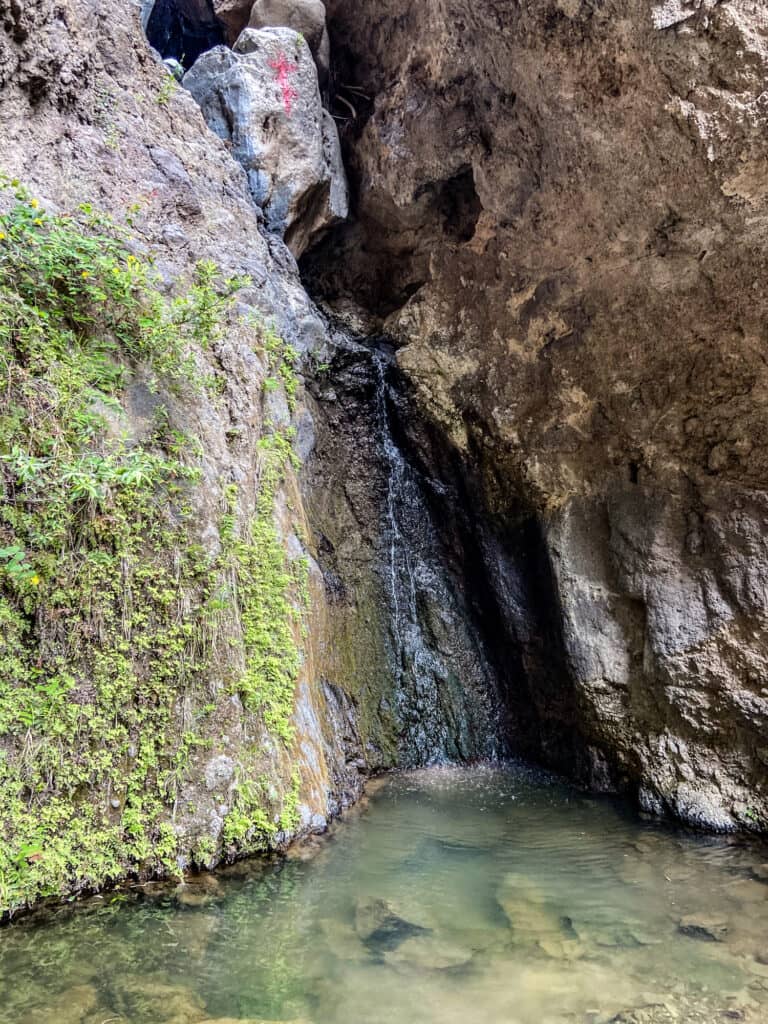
480	897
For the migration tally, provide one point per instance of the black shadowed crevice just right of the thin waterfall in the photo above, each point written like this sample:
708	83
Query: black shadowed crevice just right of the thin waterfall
500	561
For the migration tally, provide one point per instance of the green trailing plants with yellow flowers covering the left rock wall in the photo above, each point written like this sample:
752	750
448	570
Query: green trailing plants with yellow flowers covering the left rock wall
110	614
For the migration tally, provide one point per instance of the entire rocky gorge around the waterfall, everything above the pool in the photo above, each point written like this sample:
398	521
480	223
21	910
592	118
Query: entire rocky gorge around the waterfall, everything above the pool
502	493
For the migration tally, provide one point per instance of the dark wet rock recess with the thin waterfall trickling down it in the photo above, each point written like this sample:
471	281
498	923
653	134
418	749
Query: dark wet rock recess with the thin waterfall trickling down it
477	662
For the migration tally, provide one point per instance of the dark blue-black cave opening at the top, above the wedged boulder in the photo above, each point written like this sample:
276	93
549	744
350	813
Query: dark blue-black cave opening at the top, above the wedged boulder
182	30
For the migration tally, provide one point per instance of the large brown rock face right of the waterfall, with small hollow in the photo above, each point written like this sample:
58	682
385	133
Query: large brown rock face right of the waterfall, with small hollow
562	226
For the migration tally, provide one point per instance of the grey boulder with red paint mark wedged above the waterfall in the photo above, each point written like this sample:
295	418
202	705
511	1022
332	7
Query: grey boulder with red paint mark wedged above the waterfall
264	100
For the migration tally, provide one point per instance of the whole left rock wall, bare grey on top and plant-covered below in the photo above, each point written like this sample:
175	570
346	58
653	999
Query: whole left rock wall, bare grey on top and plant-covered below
166	697
